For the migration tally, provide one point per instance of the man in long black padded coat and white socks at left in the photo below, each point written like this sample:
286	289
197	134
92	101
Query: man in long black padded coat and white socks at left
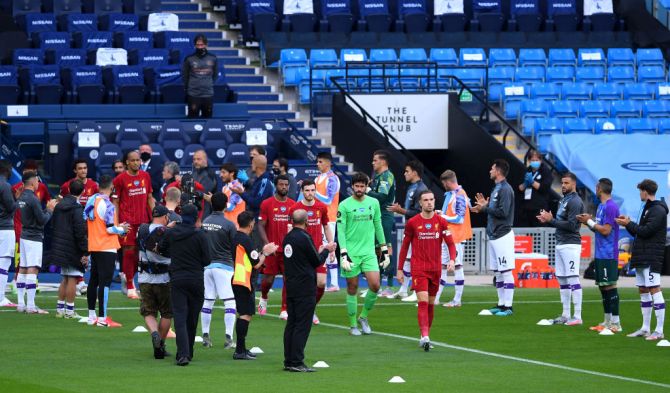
69	248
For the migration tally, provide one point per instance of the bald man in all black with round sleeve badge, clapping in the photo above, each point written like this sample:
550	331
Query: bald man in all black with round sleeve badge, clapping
300	262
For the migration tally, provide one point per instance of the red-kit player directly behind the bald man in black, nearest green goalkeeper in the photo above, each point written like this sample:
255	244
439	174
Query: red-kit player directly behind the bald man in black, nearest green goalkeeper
317	227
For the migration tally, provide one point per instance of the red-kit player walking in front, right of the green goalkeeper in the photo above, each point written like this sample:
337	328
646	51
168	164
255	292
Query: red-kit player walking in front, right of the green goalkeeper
425	232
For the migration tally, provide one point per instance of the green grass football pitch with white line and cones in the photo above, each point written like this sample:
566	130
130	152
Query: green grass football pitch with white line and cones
472	353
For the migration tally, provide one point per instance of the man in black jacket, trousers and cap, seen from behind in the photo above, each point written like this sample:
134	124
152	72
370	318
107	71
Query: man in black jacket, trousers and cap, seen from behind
189	252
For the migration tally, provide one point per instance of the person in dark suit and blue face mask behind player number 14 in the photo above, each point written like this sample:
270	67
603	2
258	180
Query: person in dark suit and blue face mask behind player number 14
536	190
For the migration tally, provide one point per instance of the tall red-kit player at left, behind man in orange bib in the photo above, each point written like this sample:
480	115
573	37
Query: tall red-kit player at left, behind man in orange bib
133	202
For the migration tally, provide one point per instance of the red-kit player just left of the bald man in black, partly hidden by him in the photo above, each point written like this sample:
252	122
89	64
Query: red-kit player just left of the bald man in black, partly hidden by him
273	224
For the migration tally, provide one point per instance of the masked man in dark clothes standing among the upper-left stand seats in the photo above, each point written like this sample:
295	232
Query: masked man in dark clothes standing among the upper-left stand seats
199	72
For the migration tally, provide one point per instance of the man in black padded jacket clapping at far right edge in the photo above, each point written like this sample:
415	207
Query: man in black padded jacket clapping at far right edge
647	257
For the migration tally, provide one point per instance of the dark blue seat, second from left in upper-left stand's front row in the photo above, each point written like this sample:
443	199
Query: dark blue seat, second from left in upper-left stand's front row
43	84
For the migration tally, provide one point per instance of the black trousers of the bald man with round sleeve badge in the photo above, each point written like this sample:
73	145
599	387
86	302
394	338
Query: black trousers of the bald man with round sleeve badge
299	324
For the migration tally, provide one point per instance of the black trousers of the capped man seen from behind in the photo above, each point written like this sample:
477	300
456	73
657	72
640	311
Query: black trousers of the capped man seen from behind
187	298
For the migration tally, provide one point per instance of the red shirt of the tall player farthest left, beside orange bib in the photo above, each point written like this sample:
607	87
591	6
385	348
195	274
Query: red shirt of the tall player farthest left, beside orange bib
133	192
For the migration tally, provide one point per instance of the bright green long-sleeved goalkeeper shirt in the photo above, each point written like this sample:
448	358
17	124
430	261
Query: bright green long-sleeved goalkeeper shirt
358	222
